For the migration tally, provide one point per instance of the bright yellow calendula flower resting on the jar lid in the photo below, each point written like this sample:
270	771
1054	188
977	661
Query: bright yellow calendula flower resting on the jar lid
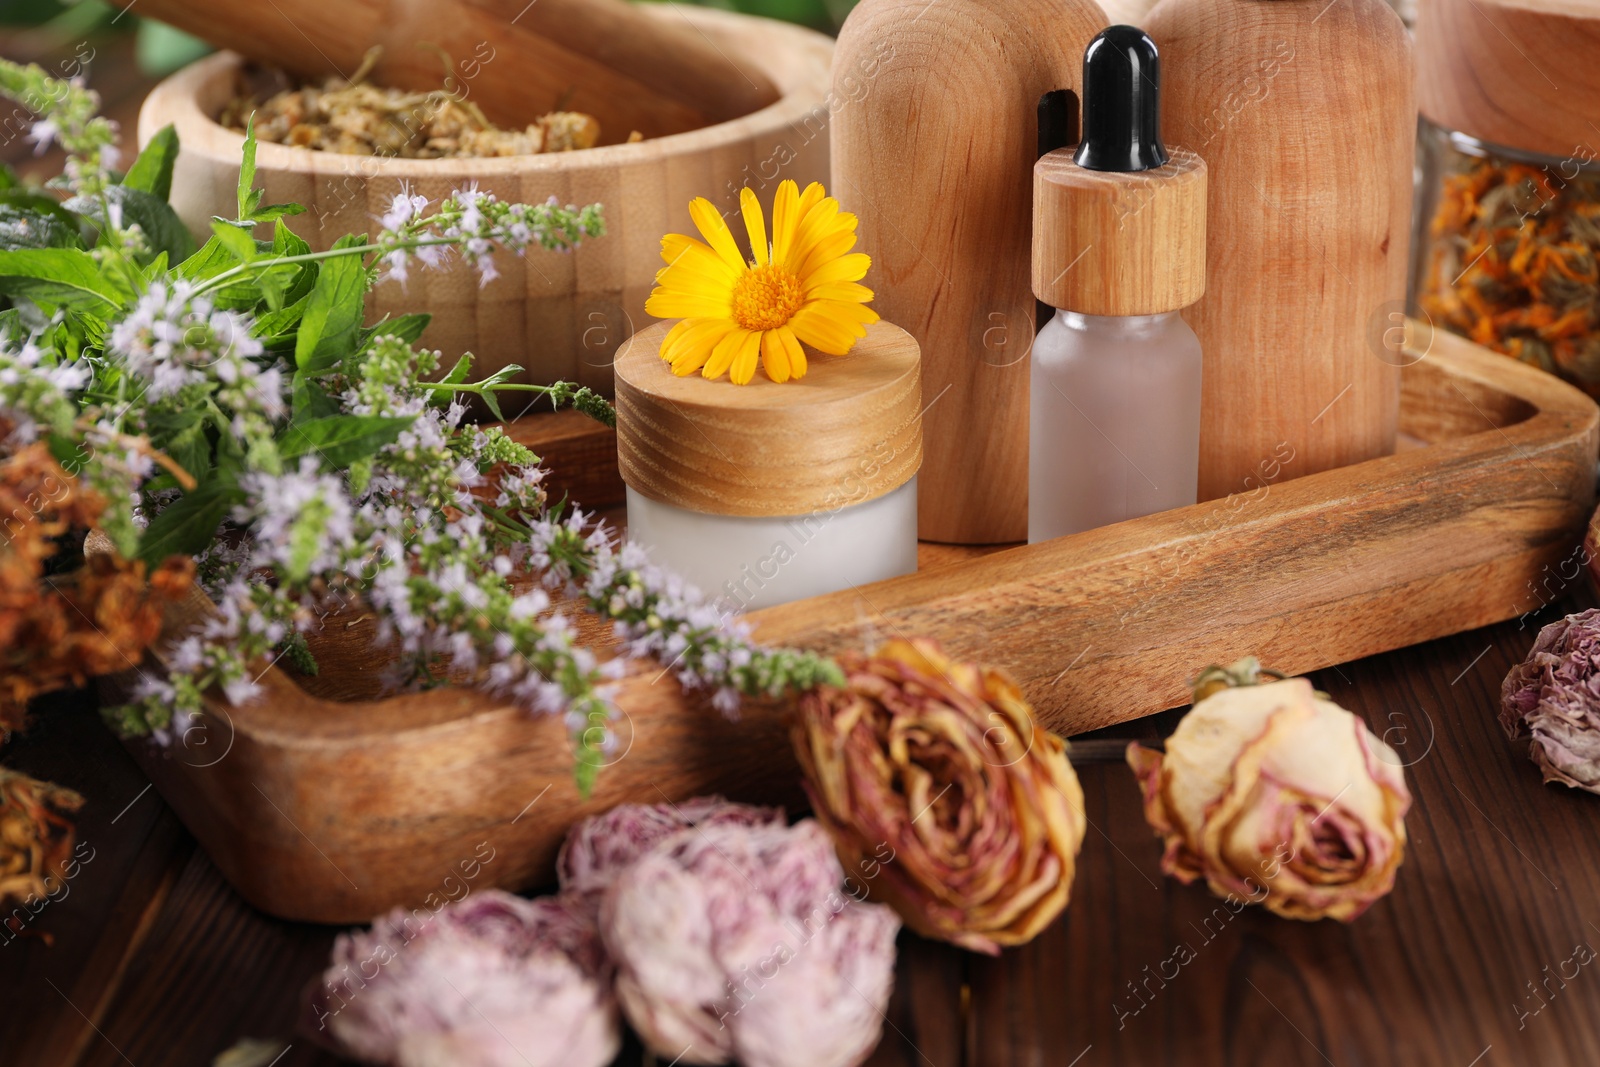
804	289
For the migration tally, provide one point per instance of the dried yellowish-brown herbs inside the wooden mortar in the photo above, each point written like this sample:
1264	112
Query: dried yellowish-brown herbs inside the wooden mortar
359	119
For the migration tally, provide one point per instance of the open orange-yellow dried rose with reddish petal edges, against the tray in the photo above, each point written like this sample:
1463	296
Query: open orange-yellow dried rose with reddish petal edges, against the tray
943	796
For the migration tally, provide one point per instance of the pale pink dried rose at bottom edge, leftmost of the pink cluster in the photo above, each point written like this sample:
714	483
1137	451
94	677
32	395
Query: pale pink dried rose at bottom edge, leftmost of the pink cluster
492	981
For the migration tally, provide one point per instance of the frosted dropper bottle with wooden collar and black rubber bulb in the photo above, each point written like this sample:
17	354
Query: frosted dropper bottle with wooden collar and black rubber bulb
1119	250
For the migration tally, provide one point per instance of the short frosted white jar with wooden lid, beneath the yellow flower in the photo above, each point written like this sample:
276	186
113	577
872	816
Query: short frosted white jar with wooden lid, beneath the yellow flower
767	494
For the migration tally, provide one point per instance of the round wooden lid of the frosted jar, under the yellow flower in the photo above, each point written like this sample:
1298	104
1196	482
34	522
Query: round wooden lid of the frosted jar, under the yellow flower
847	433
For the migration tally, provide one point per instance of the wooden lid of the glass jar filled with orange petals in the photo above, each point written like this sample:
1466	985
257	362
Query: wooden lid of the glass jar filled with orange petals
1524	74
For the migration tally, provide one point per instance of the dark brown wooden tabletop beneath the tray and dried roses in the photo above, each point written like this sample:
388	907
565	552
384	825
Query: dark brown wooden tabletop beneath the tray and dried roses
158	962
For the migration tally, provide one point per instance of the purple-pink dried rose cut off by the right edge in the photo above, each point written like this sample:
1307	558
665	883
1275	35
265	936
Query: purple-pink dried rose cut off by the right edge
1554	698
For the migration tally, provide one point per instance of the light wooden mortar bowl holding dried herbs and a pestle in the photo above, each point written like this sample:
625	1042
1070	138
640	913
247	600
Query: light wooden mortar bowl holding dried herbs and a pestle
561	316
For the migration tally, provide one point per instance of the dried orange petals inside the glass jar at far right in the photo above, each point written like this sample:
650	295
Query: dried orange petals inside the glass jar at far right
1516	265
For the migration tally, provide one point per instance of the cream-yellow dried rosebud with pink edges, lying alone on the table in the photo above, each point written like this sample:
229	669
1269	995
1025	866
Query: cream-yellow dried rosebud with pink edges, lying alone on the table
1276	796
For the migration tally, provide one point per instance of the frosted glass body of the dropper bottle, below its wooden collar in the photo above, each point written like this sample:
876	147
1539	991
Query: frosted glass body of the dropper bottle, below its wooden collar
1114	422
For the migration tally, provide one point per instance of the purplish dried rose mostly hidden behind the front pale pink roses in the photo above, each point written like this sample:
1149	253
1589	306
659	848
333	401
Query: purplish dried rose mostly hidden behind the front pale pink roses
601	847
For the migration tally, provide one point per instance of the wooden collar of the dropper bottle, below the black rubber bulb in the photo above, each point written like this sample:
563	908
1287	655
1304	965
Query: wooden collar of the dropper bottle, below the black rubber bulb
1119	244
